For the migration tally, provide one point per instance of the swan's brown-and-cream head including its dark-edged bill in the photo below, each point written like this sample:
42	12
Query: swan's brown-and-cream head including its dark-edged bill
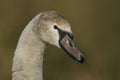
55	29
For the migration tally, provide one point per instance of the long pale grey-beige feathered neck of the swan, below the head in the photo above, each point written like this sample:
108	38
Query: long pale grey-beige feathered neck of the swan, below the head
28	58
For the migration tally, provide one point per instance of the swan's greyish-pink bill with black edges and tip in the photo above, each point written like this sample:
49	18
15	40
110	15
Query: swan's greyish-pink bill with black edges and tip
68	46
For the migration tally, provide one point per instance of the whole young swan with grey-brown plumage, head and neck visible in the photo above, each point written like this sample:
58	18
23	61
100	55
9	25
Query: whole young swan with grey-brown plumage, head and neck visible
47	27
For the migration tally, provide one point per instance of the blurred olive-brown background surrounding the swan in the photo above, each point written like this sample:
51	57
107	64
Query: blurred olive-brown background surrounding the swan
96	28
